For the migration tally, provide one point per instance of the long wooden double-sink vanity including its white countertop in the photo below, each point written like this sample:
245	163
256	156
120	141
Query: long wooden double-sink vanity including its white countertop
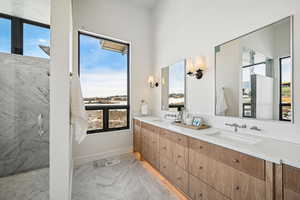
206	168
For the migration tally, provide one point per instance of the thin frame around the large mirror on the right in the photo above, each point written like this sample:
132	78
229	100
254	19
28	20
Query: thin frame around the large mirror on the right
291	17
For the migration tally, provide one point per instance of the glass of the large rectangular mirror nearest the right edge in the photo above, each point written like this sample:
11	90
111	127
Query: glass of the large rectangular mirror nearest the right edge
254	74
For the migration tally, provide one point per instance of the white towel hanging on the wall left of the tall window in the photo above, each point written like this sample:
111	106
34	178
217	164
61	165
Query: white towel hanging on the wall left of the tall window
79	118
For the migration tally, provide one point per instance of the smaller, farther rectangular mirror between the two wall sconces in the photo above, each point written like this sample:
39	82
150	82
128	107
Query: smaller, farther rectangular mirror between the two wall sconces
173	86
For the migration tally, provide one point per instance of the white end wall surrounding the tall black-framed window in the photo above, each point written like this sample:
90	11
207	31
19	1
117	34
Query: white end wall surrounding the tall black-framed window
124	21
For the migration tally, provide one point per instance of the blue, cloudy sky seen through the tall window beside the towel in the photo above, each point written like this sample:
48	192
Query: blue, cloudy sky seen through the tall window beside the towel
102	73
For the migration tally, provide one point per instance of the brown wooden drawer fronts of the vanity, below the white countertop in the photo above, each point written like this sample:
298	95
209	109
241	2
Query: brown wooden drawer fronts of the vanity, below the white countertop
203	170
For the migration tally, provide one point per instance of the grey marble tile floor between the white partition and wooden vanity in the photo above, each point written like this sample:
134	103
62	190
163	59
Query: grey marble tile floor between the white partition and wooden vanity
128	180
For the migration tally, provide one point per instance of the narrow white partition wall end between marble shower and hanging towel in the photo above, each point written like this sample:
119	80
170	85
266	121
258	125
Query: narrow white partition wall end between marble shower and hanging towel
60	62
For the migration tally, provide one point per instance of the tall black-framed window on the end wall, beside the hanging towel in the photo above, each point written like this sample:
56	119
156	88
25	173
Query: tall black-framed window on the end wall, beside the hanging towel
104	75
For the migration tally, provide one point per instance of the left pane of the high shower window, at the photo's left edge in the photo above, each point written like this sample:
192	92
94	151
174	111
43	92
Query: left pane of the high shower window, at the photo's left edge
5	35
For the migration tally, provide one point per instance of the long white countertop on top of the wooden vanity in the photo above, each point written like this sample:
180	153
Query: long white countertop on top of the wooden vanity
268	149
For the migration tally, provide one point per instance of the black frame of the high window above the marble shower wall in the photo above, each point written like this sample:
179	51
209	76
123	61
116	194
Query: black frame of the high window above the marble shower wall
17	34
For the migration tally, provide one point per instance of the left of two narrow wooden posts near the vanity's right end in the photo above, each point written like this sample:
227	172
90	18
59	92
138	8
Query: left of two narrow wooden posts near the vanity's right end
270	180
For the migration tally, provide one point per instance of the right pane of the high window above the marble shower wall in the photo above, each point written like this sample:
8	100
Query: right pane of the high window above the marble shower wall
34	39
